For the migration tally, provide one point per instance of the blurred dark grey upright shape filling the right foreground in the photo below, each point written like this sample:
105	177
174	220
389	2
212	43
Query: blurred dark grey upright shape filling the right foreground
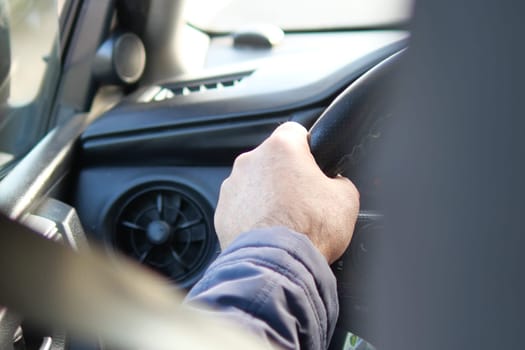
450	273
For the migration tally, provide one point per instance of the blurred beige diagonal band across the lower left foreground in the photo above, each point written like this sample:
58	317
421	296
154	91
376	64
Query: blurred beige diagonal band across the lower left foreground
91	296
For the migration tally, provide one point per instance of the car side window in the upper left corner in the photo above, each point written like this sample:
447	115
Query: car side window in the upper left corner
30	61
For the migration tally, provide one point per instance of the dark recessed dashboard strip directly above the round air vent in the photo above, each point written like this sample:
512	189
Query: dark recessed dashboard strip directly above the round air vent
213	143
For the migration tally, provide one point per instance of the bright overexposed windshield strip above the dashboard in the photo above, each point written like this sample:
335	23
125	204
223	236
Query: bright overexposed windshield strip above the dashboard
229	15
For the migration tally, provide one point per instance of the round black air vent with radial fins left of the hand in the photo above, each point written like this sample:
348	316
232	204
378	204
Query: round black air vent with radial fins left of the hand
167	228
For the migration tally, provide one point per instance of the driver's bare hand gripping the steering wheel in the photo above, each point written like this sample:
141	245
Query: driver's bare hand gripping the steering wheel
280	184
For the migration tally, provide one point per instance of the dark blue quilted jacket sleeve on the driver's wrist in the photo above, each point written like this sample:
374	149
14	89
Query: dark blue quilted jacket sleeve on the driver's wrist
276	283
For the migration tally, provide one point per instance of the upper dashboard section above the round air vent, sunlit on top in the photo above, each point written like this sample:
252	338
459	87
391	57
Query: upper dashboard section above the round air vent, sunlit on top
305	74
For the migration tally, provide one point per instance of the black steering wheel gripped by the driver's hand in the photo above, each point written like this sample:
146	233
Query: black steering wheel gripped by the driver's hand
339	141
